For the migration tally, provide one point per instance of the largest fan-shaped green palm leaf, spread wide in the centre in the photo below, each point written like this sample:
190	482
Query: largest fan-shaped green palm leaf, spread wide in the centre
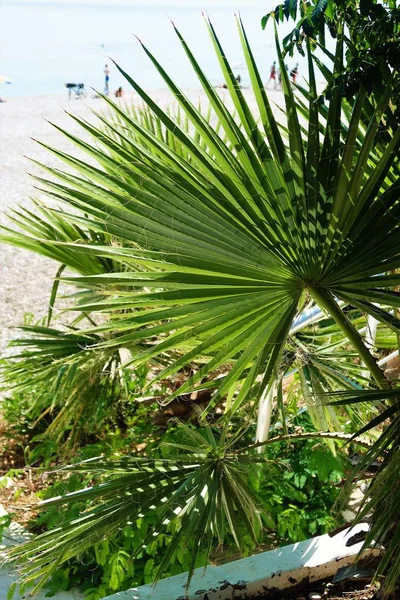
253	227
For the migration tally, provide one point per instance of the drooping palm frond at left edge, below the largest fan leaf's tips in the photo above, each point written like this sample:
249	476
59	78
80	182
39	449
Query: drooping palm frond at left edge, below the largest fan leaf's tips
68	381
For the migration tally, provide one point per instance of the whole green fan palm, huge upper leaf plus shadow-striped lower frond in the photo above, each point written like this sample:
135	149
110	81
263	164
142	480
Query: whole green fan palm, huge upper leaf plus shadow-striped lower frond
205	236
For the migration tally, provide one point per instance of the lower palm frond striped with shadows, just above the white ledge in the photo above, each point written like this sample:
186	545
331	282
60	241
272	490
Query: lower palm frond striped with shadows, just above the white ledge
199	493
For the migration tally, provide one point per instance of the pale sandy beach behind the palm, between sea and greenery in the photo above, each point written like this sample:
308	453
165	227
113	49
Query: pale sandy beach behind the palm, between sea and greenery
26	278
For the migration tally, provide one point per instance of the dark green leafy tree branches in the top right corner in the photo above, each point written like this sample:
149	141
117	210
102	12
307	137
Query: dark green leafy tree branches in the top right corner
372	45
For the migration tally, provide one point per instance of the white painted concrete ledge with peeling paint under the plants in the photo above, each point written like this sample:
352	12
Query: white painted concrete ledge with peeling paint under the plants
313	559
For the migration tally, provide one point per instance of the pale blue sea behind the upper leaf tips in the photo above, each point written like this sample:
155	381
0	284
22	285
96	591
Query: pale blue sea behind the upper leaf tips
47	43
